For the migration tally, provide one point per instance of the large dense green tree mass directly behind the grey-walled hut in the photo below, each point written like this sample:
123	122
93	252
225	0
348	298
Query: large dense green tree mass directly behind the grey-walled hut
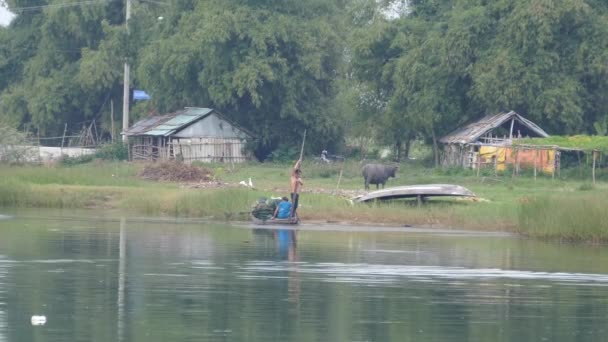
270	65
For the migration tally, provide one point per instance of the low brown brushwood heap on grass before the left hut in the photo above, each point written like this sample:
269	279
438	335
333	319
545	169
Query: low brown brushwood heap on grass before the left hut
175	172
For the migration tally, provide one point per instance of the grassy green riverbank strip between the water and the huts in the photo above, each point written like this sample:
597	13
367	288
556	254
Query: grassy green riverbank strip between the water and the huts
546	208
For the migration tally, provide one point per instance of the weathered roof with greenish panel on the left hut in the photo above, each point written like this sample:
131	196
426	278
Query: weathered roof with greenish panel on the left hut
167	124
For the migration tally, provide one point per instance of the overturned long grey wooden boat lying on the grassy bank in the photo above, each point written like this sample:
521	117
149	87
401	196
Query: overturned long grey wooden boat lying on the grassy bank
416	191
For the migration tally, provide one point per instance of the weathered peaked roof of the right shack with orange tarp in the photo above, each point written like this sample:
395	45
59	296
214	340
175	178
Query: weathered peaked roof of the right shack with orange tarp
473	131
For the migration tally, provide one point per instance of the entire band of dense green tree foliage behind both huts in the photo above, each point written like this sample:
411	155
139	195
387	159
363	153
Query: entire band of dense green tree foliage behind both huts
390	70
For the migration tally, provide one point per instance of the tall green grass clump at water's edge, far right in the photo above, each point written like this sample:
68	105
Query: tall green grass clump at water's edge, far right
580	216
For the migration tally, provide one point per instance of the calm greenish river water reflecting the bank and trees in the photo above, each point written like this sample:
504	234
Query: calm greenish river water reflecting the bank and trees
97	276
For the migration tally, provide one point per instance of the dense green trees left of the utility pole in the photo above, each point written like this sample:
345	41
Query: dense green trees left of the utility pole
46	45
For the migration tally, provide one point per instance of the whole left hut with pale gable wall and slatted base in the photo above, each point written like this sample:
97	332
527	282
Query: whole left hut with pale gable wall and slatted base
191	134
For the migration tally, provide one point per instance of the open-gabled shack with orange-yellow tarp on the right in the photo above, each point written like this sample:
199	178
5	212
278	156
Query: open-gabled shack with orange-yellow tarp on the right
490	139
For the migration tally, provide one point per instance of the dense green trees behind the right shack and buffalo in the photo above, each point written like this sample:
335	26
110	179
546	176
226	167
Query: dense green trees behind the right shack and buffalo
448	62
